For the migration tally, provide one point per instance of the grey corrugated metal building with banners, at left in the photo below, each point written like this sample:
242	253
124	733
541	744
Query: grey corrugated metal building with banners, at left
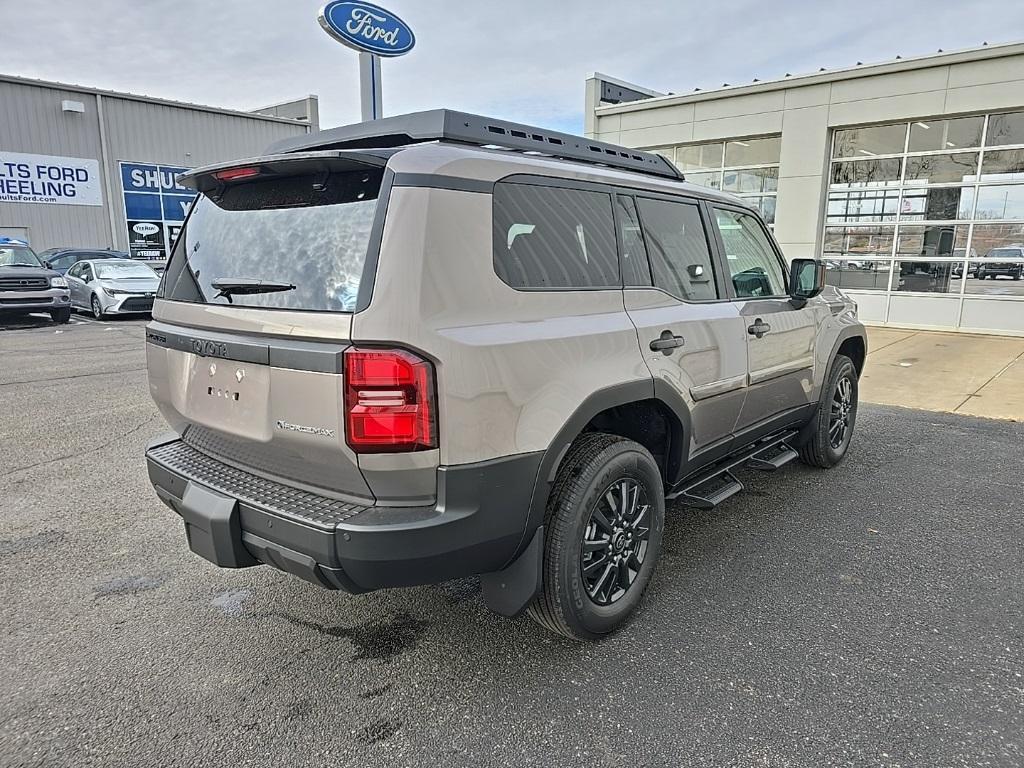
88	168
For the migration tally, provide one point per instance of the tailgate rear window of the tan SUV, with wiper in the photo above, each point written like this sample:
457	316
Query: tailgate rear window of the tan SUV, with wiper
312	232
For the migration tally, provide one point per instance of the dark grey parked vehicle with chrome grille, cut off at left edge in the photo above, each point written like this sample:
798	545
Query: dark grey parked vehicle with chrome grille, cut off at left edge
28	286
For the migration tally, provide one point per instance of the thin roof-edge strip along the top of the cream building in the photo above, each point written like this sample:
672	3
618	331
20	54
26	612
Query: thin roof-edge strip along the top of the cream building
978	54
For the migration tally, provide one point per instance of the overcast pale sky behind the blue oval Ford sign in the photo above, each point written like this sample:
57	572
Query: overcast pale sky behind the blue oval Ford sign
525	61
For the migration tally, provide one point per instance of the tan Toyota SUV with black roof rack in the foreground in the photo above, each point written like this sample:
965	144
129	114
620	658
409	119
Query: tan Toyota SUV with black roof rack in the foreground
442	346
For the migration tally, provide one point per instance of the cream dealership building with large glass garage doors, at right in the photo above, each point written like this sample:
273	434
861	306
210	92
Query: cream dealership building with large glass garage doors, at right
907	178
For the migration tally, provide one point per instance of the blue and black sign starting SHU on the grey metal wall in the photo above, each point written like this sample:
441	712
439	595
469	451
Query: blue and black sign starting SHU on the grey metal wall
155	207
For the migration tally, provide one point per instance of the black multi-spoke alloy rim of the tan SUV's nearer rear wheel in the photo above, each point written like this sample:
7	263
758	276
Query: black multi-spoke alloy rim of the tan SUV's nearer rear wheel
616	541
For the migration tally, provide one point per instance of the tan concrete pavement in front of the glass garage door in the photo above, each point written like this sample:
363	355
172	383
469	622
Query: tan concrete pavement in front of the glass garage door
957	373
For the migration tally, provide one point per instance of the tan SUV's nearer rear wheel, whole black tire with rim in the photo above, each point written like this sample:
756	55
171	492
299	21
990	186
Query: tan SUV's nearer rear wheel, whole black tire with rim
580	510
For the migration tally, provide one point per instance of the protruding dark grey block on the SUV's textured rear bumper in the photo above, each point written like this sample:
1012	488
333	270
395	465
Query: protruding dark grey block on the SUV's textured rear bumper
212	528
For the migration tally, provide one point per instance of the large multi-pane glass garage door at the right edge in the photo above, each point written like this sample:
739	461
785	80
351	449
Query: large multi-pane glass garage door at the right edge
925	222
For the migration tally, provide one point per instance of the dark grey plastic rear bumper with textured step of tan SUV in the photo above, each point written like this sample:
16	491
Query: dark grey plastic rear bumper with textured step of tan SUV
236	519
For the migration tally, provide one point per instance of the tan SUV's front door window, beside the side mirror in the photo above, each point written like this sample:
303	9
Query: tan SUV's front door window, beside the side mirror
754	268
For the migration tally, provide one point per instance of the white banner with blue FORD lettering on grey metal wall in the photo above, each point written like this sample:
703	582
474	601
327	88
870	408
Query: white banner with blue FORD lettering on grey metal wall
48	179
